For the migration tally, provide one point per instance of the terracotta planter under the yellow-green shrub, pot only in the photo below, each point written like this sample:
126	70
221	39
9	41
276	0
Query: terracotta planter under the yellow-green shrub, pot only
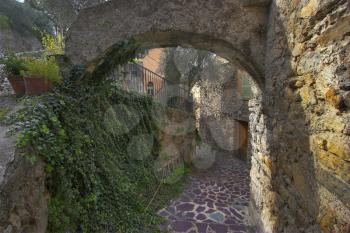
37	85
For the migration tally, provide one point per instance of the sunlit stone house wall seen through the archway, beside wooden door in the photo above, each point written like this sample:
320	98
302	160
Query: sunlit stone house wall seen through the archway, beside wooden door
218	105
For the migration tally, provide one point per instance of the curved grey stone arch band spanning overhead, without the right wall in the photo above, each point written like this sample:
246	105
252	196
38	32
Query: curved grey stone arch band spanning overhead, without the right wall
226	27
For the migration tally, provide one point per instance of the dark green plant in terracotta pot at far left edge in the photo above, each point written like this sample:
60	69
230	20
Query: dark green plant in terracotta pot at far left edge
13	68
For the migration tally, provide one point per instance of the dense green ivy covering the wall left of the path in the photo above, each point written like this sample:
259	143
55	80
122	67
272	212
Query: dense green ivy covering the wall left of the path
95	183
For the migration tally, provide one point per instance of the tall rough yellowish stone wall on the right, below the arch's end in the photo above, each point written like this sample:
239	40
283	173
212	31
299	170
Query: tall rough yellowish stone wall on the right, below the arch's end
300	180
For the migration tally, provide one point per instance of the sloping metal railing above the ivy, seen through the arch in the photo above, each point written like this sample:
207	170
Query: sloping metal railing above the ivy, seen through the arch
135	77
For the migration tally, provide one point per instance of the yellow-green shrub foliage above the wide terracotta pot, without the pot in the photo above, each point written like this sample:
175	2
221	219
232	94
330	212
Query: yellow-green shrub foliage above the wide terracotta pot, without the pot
45	68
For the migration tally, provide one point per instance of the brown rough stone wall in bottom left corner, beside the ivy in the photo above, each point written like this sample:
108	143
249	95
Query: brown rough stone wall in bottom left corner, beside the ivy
23	197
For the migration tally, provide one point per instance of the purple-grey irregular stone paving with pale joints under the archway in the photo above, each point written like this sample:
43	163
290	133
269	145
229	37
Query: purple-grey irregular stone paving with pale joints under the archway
215	201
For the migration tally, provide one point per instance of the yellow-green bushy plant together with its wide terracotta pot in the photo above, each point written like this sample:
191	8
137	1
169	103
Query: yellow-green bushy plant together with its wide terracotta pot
40	75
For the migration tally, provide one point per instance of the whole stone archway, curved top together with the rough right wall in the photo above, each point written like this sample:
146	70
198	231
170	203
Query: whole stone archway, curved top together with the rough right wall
300	179
